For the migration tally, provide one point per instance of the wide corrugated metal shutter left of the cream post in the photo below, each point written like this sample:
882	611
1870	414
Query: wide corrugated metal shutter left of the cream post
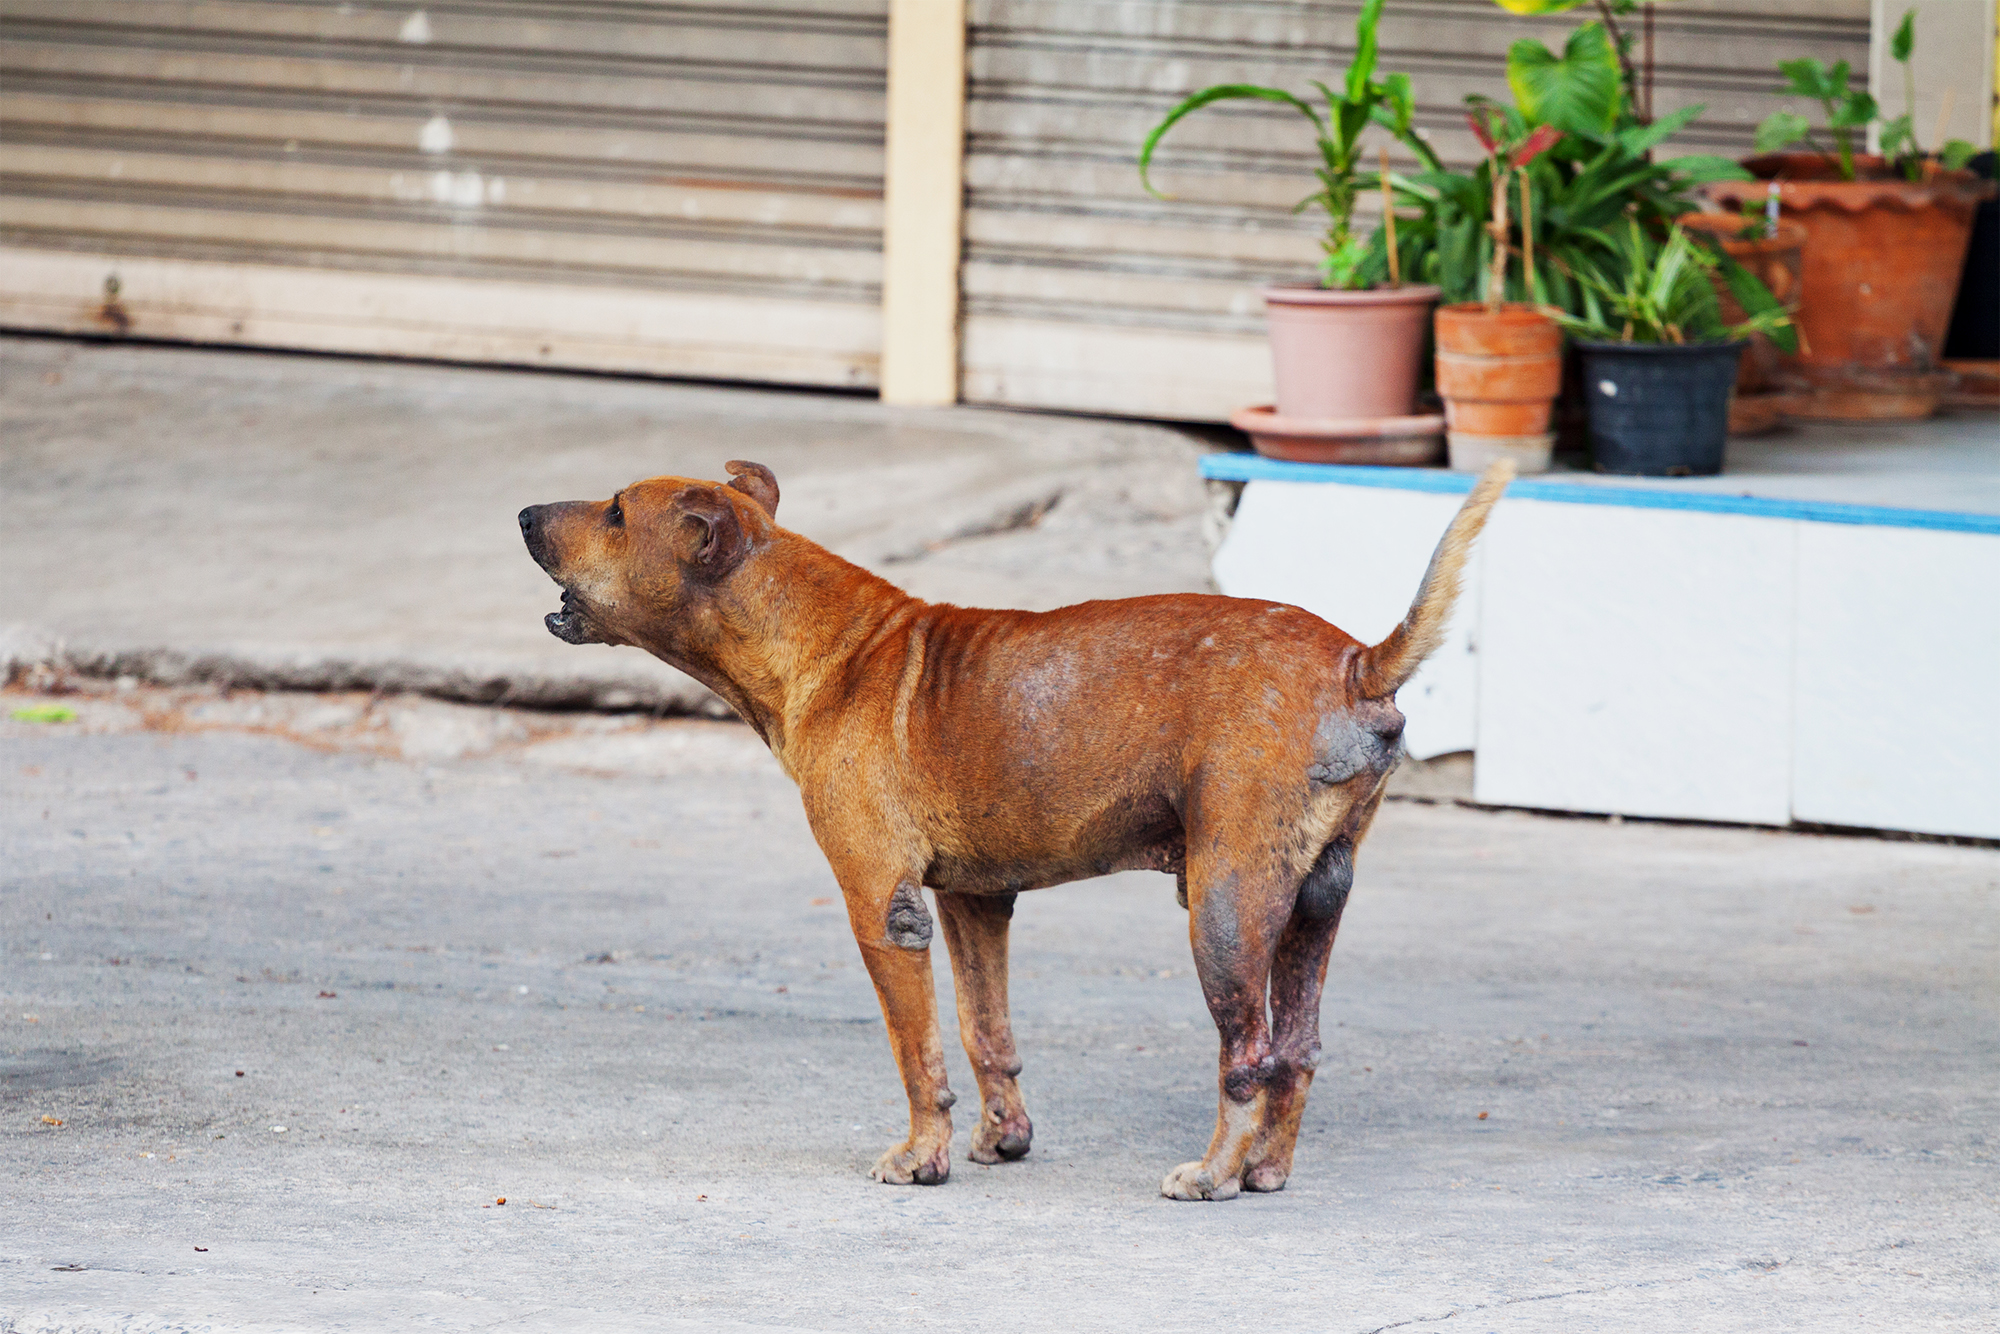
685	189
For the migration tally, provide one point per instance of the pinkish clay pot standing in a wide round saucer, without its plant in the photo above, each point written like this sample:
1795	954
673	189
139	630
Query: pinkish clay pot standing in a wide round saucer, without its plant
1347	355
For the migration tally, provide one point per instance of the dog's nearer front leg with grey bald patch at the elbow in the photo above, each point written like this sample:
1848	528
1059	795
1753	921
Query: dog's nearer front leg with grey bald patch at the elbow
893	929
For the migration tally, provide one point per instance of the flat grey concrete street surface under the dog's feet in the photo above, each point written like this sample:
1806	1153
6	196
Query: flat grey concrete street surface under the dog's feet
1579	1075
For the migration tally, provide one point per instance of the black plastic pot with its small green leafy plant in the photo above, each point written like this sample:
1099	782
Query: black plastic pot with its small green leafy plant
1661	361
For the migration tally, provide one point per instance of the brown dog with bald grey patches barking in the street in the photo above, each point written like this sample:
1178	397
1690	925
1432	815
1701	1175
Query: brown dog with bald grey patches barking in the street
1237	745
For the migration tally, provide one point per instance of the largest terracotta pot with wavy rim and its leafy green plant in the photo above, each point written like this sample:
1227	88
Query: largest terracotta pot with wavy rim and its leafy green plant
1887	243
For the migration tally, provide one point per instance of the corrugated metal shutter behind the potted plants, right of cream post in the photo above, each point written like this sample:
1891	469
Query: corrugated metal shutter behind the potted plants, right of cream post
1085	293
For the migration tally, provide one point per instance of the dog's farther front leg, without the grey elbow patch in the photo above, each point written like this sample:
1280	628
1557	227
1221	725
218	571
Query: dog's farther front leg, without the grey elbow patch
977	931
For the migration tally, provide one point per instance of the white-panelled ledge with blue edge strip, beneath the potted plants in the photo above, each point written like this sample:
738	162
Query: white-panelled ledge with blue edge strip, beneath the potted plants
1755	649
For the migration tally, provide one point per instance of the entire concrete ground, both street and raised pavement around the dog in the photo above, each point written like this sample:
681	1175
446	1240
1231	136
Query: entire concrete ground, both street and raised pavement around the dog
1579	1075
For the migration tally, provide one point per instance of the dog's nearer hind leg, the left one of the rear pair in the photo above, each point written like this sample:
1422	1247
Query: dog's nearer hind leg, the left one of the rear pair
1235	919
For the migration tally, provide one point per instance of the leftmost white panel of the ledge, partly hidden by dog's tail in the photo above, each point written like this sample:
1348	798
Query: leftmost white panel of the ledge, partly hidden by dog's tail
1355	555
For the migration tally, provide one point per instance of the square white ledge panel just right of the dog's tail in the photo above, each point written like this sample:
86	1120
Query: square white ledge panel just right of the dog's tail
1637	663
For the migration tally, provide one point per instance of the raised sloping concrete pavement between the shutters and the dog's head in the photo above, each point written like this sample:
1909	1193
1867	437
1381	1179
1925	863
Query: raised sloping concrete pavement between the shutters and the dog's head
337	523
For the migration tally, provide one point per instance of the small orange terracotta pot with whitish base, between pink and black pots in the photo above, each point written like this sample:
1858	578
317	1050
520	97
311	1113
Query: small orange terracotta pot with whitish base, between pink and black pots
1499	375
